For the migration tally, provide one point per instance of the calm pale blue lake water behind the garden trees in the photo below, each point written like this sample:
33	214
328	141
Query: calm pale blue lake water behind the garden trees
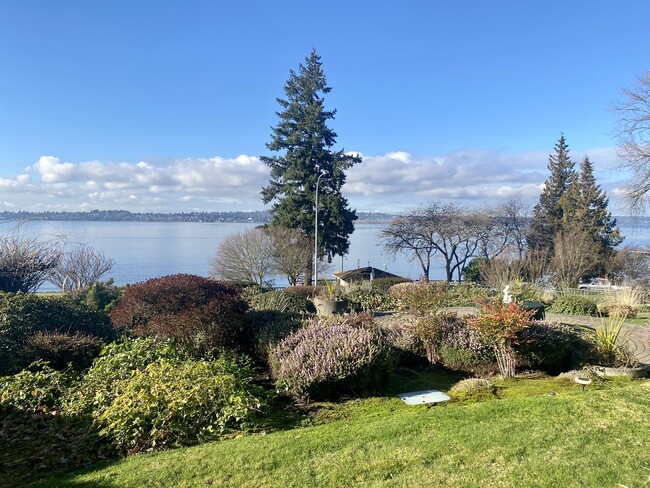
143	250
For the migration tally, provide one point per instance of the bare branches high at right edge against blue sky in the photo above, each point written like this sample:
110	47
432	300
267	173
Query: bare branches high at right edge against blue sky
633	133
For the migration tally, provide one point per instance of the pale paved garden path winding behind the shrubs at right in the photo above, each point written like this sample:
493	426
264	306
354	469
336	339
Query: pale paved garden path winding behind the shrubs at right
639	342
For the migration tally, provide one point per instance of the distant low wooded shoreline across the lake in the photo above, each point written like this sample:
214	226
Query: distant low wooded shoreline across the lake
254	217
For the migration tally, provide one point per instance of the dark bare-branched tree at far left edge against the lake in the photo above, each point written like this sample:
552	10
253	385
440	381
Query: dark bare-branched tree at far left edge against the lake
25	261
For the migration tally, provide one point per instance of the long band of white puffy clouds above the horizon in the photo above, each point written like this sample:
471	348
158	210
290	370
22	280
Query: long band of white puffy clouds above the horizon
388	182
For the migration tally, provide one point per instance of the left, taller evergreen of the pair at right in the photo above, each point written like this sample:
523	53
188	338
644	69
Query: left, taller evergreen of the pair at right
548	213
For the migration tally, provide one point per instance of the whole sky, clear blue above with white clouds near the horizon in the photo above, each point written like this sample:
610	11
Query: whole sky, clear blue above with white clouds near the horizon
156	105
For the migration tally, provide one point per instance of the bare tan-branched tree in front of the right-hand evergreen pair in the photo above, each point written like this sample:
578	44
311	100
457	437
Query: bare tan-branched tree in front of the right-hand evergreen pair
575	255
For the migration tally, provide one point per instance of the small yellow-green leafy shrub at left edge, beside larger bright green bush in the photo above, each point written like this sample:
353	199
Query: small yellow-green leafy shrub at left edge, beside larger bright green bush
38	388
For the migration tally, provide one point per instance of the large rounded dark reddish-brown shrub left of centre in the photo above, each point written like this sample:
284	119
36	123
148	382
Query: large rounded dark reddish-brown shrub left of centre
199	314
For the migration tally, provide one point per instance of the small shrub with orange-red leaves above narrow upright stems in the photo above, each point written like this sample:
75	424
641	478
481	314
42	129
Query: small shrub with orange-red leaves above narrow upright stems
501	322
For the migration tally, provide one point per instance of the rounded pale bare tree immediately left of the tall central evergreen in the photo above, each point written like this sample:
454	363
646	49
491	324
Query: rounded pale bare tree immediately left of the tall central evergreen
244	256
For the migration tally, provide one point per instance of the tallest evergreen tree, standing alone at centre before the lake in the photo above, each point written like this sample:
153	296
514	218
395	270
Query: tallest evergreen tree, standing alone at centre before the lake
306	142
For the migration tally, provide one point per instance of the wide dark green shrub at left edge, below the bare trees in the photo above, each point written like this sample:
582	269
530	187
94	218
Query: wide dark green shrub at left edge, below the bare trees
22	316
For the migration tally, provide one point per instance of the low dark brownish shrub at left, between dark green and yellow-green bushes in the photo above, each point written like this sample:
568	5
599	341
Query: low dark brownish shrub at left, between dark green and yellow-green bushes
60	350
